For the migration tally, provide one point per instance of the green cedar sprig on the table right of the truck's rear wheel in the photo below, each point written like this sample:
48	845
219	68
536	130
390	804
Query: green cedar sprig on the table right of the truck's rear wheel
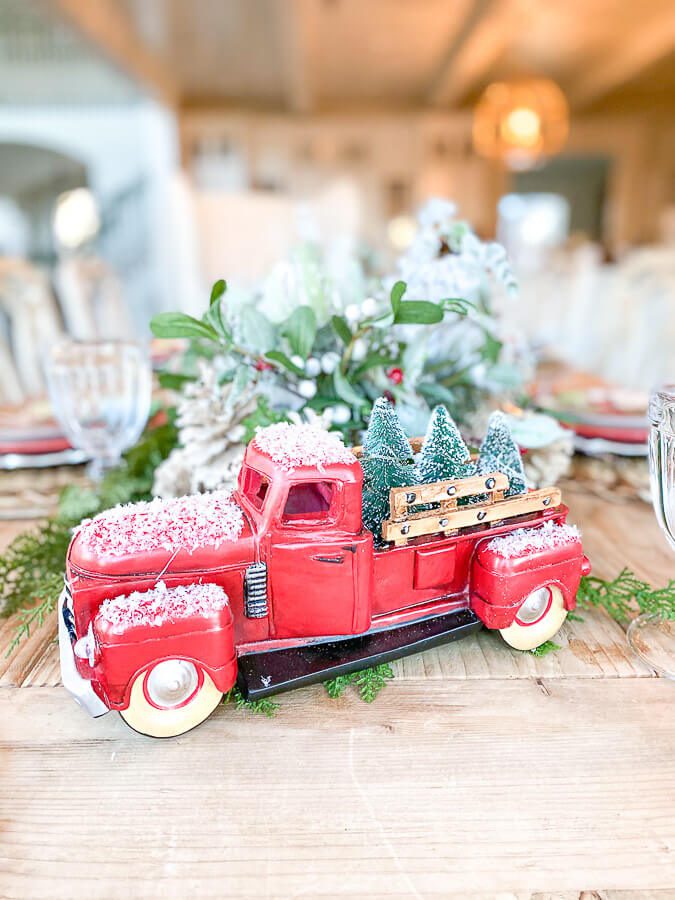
625	595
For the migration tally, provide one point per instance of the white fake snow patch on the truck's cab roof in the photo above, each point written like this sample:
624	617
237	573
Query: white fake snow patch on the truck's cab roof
292	446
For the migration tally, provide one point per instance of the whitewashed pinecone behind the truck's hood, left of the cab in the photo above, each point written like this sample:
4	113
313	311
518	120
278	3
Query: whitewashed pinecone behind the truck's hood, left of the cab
210	434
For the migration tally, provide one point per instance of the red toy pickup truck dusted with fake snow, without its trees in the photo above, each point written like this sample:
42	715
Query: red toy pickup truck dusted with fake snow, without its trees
168	604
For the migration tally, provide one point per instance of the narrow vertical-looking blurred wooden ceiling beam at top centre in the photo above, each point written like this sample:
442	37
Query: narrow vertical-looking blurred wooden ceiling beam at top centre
300	35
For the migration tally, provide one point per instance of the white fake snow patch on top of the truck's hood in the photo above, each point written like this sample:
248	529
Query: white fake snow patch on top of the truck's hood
184	523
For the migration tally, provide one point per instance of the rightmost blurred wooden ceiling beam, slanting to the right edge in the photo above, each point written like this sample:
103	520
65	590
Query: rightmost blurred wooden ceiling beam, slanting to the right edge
645	46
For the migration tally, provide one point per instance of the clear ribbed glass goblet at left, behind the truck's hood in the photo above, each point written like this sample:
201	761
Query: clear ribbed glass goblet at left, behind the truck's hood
100	391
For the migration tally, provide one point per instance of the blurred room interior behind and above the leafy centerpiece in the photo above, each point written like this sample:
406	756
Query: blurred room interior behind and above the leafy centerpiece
148	147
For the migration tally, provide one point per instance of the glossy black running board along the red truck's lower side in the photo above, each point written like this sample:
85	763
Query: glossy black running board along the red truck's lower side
274	671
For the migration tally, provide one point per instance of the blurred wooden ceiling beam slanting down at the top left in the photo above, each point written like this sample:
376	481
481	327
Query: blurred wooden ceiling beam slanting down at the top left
105	24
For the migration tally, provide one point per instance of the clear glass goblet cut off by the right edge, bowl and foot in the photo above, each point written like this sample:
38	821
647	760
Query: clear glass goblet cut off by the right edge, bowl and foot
651	636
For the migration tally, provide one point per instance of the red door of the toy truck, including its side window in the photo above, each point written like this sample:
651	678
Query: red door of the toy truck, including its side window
312	564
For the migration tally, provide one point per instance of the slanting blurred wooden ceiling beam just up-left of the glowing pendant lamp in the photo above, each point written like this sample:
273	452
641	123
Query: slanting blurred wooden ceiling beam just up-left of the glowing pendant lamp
479	44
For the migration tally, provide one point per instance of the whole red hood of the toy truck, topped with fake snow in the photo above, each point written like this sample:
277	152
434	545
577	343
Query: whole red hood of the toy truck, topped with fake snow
144	536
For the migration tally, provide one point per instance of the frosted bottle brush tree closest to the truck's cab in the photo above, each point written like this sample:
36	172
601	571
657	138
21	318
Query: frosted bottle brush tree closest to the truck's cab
387	463
